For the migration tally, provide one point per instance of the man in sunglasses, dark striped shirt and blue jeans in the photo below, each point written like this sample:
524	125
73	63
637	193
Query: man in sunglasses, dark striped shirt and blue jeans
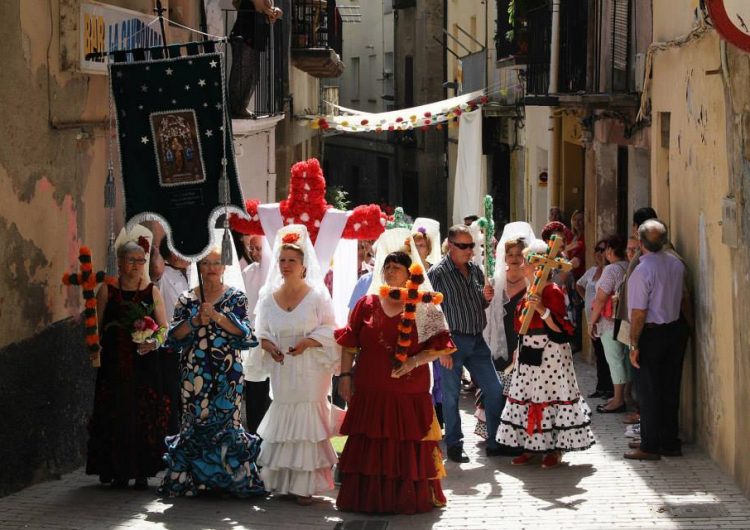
465	299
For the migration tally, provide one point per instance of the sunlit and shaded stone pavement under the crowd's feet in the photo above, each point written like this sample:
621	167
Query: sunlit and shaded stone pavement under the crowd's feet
592	489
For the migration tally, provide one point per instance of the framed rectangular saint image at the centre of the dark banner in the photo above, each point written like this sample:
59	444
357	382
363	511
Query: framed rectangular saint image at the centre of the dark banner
178	151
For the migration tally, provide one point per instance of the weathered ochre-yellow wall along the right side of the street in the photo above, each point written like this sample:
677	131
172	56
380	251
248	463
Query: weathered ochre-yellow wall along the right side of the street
686	85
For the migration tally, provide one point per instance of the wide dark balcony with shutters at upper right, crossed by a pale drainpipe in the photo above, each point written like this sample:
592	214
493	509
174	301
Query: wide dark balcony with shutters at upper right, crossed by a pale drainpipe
596	56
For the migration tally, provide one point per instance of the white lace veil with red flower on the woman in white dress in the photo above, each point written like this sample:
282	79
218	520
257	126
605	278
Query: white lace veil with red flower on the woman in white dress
313	277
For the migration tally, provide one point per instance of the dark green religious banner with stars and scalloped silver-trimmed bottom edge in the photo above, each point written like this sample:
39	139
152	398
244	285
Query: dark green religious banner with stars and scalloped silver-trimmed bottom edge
173	135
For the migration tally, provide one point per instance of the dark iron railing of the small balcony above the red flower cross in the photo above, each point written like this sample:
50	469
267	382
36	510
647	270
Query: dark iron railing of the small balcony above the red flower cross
316	24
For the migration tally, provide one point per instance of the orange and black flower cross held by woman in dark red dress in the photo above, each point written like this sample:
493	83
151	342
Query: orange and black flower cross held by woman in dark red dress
411	296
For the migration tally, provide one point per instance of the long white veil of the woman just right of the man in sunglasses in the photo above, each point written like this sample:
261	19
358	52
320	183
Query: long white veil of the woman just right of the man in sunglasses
494	333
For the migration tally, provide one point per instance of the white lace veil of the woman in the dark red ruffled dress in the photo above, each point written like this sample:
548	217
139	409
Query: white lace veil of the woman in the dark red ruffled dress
430	319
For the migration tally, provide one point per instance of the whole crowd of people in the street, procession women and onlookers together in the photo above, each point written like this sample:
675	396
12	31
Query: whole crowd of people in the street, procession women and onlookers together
184	345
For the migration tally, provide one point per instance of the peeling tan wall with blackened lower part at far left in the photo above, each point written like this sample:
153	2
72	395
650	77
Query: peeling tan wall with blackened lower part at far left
52	169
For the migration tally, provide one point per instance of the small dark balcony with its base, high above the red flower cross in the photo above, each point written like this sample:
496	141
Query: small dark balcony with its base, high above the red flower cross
317	38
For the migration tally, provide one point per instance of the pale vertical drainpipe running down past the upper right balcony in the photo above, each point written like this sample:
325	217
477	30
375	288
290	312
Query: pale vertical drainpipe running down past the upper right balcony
555	123
